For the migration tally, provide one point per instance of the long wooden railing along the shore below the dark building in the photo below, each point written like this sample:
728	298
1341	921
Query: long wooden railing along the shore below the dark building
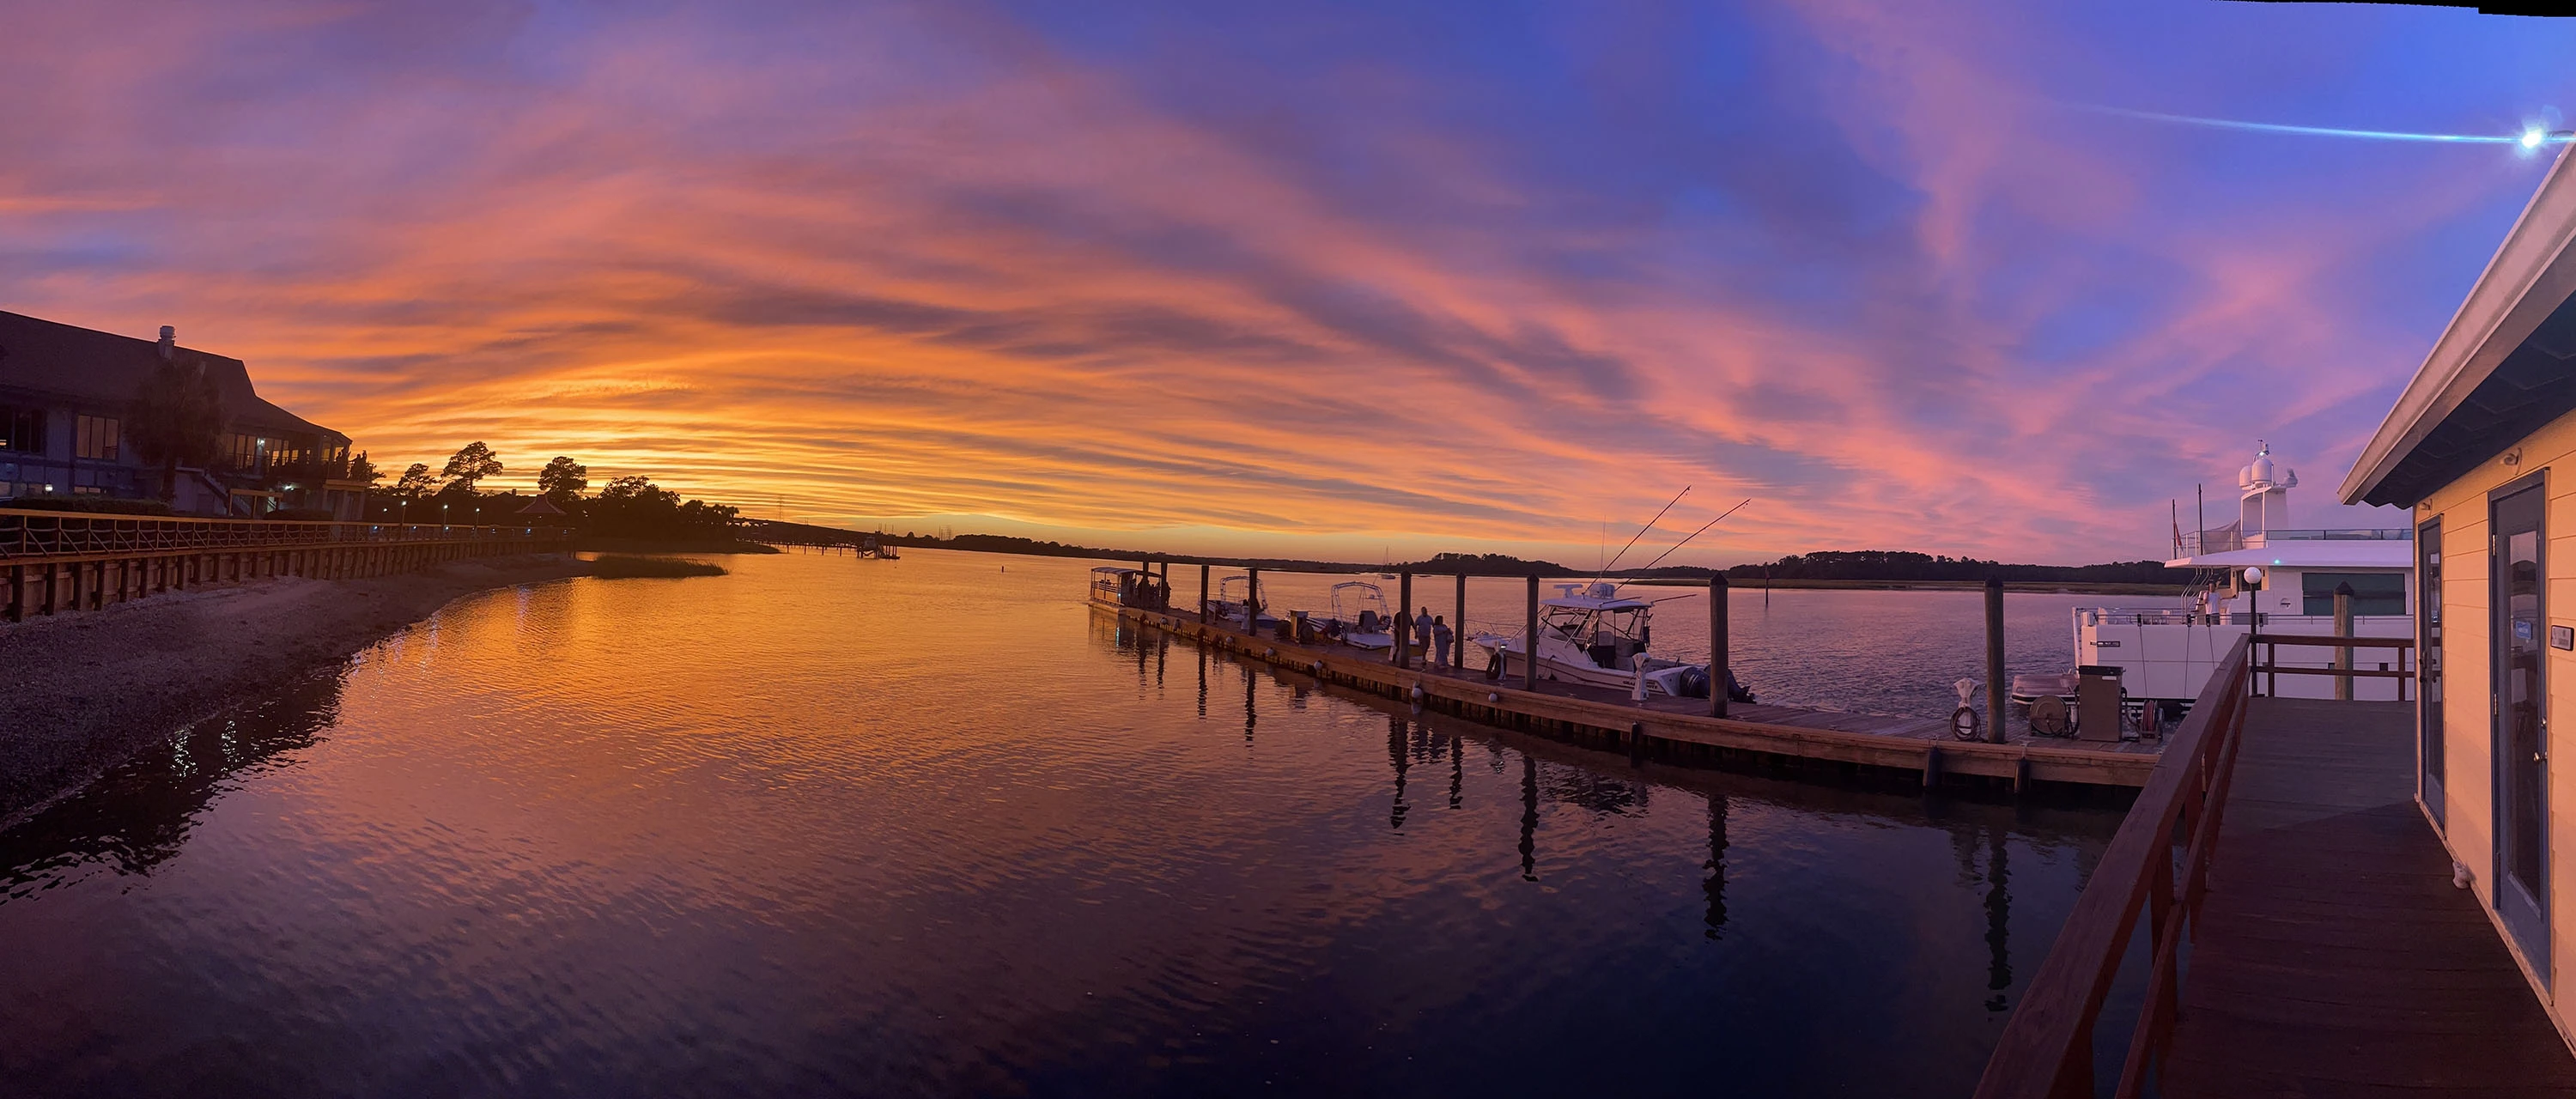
30	534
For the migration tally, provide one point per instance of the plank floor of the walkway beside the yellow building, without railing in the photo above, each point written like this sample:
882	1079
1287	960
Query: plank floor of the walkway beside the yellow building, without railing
2333	954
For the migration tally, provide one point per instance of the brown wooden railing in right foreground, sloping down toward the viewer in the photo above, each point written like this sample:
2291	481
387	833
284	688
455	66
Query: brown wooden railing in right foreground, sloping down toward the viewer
2049	1046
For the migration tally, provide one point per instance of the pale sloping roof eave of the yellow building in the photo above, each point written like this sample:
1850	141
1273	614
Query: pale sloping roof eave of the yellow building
2523	284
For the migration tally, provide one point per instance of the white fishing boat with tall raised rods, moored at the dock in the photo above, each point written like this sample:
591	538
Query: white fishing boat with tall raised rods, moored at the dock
1596	637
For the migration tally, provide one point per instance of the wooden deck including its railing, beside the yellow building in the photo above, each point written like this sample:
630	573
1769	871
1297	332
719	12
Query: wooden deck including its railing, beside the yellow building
2302	928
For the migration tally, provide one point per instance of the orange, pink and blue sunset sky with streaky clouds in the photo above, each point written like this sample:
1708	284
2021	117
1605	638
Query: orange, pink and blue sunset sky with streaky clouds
1305	279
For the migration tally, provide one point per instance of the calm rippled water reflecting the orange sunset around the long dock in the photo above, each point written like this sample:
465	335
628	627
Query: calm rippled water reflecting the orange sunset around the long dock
936	827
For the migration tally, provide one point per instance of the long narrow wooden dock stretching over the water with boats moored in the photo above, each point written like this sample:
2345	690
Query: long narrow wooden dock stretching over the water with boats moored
1671	730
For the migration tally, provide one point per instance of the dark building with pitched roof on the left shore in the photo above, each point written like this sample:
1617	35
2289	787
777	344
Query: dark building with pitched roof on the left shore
66	395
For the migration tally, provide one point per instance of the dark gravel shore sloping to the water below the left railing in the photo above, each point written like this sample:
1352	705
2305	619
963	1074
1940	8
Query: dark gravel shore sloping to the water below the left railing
91	688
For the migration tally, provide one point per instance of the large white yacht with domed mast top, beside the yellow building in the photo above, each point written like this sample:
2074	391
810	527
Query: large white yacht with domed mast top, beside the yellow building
2255	570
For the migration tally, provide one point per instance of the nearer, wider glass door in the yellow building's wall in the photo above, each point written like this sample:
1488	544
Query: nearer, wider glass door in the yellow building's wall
2518	637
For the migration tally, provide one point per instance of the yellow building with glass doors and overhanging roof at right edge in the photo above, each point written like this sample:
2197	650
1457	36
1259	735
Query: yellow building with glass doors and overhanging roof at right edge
2482	447
